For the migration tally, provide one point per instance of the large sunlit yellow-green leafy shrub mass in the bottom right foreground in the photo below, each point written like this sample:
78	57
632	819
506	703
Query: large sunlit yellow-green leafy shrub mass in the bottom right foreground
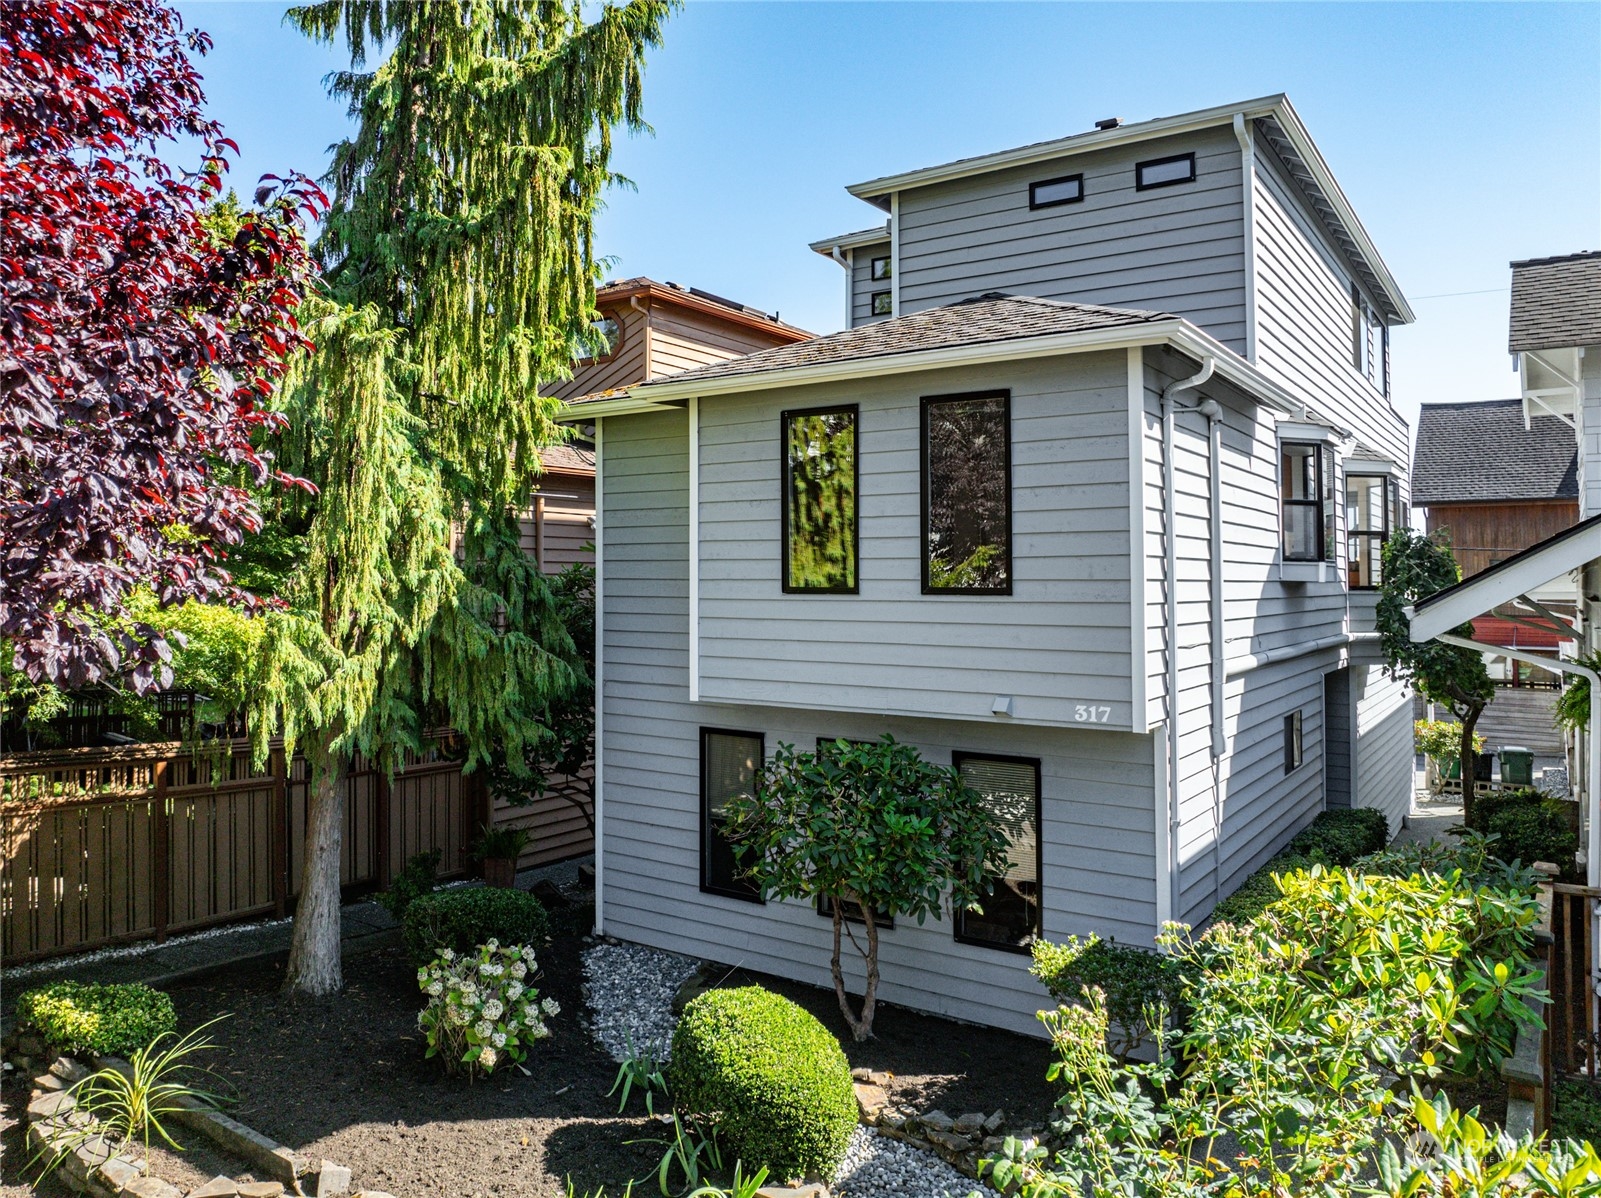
1304	1031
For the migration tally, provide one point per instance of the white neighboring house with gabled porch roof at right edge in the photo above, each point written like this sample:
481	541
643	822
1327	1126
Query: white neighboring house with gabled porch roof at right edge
1555	584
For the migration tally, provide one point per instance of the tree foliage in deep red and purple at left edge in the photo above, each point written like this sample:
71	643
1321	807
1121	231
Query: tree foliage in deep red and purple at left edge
135	353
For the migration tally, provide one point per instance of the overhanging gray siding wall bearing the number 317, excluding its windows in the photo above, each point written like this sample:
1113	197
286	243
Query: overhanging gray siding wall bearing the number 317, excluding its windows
1061	640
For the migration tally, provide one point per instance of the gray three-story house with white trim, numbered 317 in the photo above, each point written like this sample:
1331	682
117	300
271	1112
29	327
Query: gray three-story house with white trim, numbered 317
1086	502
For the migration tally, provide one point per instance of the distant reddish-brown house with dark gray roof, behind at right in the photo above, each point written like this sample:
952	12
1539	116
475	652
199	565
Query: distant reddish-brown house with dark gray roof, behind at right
1498	478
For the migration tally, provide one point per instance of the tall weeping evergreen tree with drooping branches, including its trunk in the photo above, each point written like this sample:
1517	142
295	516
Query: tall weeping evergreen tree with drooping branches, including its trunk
459	275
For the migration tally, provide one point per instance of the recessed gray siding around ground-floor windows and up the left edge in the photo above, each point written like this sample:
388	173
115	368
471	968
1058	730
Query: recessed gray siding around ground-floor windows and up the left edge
1099	827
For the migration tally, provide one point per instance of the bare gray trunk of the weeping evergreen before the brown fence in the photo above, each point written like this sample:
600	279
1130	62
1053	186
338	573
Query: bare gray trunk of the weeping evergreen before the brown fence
316	967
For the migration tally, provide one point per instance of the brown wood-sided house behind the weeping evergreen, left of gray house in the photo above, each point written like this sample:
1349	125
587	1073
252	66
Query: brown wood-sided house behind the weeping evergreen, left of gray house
654	331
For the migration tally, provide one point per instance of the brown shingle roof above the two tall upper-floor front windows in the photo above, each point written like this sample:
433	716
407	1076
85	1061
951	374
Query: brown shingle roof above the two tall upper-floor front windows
969	323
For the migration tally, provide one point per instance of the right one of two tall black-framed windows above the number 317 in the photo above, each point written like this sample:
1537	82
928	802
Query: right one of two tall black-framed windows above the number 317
968	494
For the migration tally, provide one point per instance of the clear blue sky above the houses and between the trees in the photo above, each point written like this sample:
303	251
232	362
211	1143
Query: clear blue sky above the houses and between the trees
1464	134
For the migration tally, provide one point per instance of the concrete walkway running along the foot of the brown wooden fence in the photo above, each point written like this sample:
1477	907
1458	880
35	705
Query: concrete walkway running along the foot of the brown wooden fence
363	925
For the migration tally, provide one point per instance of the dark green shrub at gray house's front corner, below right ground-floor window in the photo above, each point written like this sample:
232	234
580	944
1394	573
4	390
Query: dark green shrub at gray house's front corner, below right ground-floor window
1134	981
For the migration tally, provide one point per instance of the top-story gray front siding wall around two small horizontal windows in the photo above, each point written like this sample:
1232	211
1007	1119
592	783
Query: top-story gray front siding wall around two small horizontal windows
1170	249
